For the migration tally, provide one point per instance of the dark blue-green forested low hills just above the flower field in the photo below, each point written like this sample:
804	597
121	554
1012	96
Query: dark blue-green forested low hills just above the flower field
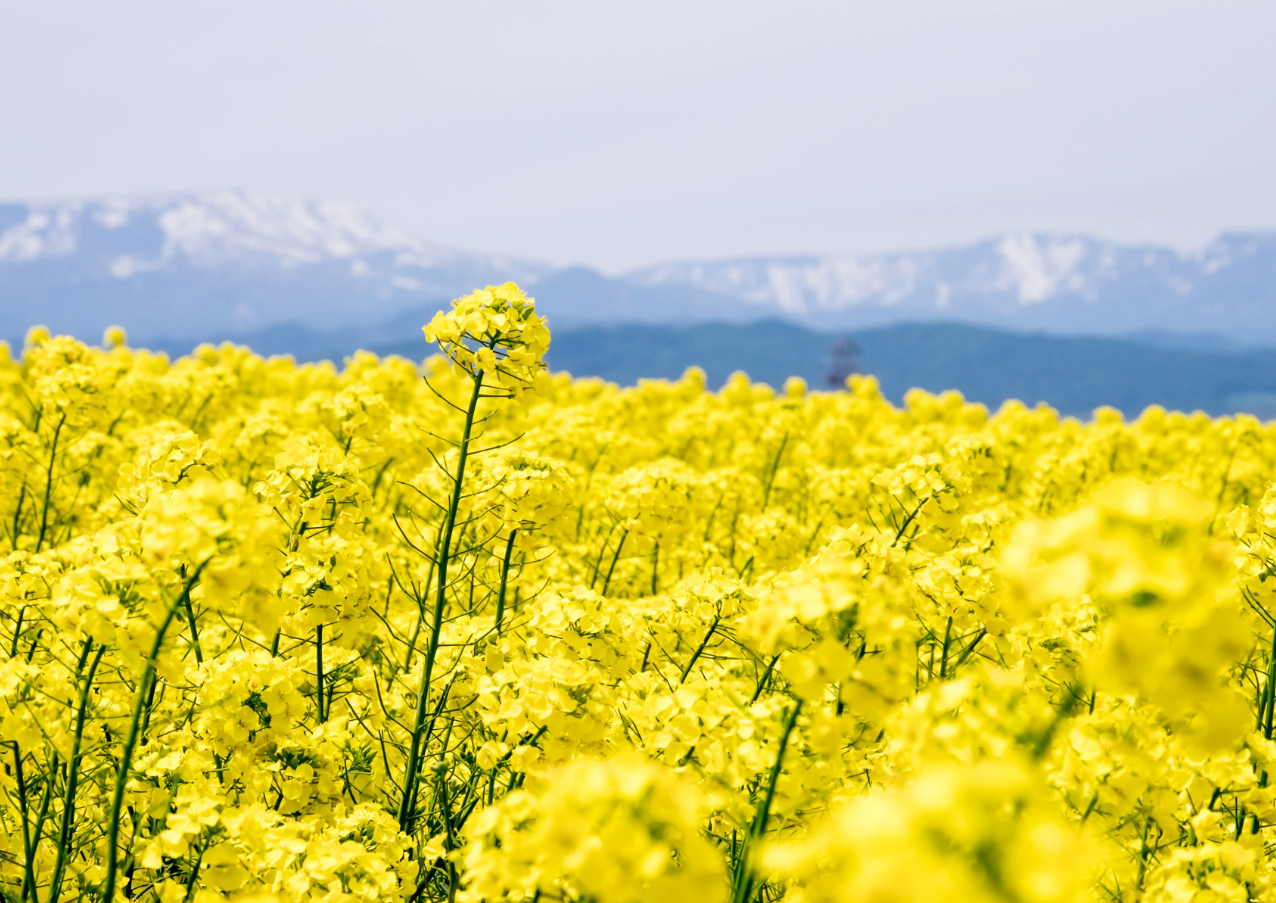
1075	376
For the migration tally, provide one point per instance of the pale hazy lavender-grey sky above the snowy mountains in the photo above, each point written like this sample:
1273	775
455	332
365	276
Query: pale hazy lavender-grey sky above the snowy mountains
618	135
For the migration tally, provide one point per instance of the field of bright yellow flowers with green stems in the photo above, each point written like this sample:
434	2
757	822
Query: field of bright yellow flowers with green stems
474	632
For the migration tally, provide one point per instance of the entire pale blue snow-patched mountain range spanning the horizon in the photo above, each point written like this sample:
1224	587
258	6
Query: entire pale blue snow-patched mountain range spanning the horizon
225	265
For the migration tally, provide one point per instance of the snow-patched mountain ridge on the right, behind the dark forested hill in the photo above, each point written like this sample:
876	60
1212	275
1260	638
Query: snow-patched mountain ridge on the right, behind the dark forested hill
1057	284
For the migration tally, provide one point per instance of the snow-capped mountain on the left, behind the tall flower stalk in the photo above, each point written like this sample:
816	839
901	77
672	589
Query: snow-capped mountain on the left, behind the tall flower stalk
206	266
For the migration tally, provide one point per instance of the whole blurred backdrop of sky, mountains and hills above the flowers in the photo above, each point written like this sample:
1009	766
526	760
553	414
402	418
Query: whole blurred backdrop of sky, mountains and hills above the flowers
1071	203
